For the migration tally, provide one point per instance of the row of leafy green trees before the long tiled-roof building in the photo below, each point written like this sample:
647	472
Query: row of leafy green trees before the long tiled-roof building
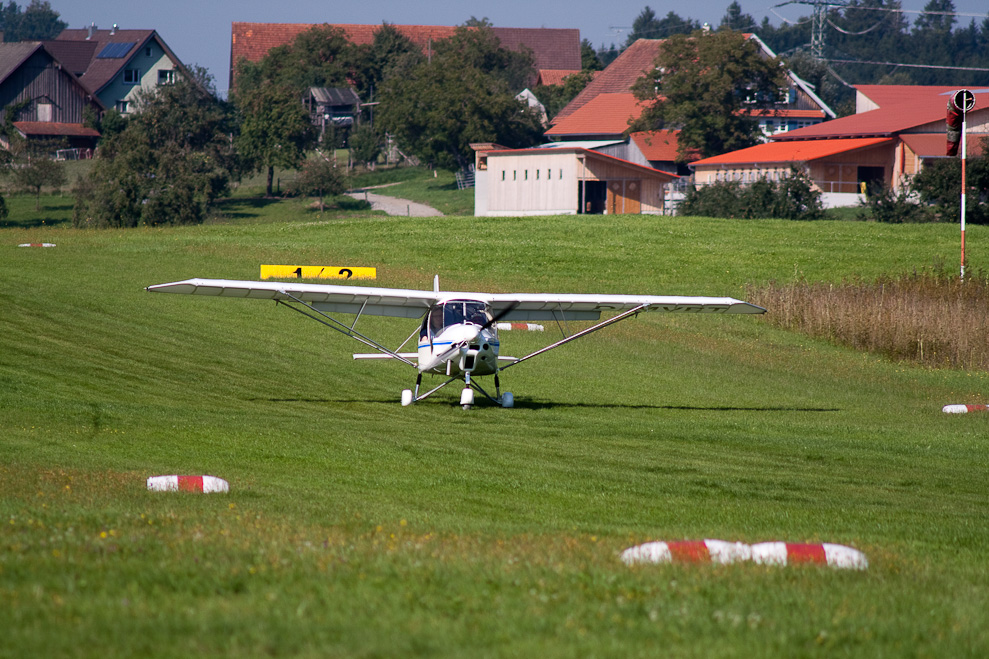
175	157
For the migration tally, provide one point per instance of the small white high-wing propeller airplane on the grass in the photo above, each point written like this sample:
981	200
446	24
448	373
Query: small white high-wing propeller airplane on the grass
458	336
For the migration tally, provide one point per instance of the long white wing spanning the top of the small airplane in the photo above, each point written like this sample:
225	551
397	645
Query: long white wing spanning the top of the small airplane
409	303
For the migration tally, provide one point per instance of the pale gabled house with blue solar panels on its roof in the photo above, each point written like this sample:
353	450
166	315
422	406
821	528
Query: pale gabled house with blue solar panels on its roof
116	64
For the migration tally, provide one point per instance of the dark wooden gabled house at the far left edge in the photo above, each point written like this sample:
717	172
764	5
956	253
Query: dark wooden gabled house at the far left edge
56	100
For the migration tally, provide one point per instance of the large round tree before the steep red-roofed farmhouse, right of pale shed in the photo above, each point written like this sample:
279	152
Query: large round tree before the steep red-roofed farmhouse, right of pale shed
704	85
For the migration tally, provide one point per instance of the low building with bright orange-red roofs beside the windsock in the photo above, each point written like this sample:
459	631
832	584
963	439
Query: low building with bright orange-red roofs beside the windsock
901	127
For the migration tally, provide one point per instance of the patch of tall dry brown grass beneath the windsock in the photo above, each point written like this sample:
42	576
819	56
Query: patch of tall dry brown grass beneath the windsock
928	317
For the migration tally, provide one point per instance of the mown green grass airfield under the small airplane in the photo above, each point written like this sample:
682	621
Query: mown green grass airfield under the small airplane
356	527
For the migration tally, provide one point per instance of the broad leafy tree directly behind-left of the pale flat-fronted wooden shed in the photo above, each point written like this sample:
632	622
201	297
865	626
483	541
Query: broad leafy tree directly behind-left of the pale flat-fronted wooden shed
462	94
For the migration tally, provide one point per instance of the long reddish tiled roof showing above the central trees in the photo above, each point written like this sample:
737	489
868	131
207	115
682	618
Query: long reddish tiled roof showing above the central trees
552	49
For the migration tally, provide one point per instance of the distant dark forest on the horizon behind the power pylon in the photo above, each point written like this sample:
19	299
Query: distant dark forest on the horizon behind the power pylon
864	42
